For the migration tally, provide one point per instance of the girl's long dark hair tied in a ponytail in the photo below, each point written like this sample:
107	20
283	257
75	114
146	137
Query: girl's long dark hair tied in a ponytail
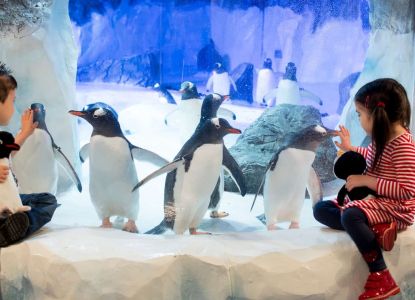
387	102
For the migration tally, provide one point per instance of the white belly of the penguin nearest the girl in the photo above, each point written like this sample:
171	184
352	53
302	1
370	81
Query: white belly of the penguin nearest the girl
284	188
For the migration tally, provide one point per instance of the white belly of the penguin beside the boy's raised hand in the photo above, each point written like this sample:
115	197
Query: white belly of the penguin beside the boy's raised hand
35	165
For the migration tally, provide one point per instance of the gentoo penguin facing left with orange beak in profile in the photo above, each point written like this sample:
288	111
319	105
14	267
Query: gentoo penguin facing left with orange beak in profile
112	172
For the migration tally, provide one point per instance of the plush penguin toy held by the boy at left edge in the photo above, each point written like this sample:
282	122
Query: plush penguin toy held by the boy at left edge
9	194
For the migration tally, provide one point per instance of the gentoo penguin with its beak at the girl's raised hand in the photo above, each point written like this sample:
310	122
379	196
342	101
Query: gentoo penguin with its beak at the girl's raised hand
289	173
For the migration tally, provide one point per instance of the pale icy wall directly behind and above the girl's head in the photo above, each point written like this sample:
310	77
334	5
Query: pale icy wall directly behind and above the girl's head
391	53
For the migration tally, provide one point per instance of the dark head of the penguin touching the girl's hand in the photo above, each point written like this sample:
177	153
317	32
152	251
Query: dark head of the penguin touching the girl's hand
312	136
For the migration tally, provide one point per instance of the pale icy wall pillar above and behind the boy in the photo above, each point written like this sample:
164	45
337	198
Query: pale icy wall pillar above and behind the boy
36	43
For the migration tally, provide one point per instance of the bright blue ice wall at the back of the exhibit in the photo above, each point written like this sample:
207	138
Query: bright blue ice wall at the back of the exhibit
140	42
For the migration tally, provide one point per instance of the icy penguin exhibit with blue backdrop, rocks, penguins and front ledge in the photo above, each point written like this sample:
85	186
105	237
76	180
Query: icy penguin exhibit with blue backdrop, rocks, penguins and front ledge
187	143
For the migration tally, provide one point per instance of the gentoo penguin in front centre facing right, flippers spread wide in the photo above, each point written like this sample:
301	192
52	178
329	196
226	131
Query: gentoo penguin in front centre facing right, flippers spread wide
193	175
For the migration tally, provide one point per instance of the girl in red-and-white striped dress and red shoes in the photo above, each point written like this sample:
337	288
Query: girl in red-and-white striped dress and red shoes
384	113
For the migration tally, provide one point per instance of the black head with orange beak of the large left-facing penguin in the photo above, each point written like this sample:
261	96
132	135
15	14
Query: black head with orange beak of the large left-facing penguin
102	117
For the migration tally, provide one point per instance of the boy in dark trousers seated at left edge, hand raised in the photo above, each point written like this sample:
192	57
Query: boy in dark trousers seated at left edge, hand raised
37	209
